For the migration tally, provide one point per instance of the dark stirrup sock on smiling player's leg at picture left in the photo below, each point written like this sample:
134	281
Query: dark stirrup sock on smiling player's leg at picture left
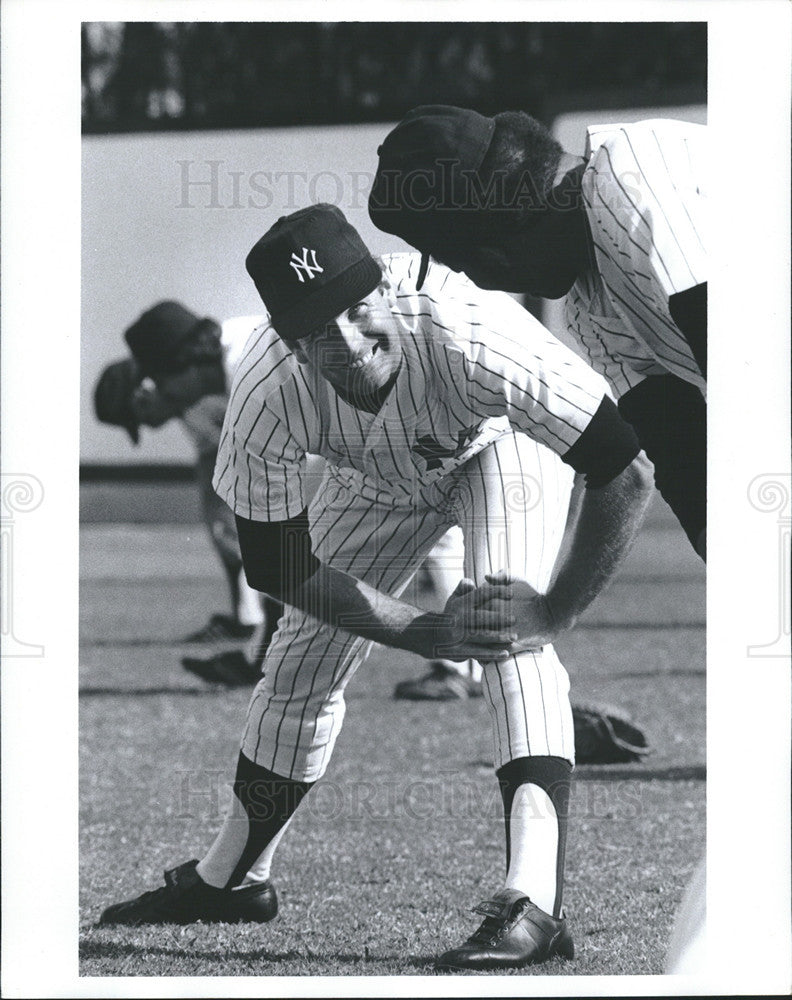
269	802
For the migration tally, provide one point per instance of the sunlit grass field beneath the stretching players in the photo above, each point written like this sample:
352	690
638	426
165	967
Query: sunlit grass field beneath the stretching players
389	852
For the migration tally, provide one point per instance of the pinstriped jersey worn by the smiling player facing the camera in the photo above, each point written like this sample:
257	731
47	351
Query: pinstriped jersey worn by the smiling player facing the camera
475	366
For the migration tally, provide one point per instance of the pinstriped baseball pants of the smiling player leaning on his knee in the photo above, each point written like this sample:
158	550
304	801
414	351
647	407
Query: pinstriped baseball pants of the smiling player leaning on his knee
511	501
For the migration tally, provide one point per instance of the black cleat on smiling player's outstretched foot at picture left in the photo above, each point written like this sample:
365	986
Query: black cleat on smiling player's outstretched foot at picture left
186	898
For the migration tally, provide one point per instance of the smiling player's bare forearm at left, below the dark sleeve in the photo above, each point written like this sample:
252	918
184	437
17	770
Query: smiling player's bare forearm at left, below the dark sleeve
342	601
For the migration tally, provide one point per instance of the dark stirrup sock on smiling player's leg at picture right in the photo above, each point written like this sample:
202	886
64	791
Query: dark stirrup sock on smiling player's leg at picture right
554	776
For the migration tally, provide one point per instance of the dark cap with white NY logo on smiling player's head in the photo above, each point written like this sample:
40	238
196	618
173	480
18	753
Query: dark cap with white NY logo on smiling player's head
310	267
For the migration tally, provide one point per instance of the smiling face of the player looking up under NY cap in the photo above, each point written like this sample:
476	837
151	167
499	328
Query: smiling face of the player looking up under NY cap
358	352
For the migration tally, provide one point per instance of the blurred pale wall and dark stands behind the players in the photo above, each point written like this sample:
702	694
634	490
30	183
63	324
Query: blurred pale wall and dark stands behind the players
197	136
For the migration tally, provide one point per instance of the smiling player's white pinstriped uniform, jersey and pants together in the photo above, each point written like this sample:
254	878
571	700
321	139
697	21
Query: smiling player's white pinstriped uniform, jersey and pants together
484	402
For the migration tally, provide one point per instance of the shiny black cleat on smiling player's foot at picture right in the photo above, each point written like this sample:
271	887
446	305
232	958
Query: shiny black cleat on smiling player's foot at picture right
515	933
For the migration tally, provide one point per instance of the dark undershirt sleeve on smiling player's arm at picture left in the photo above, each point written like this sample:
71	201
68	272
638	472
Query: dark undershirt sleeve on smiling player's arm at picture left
277	555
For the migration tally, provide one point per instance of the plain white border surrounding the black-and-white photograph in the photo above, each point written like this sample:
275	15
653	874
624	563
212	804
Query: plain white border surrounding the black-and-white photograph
748	697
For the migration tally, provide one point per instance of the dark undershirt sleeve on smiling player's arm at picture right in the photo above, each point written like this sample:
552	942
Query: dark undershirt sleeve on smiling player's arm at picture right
605	448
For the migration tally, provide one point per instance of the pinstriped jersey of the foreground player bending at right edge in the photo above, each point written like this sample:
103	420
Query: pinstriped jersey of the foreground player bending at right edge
645	202
